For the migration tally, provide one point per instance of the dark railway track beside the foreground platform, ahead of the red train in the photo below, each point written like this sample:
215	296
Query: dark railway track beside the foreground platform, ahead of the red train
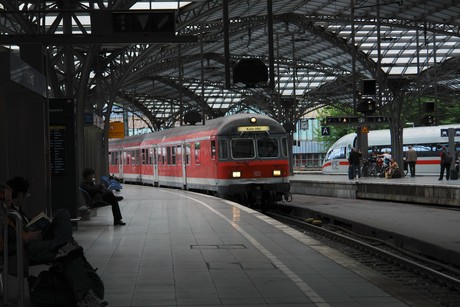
437	281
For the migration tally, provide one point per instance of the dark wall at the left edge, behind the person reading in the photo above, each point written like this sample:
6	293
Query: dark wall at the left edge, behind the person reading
24	140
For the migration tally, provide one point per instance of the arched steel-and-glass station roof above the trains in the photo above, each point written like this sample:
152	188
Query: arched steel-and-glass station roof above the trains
318	52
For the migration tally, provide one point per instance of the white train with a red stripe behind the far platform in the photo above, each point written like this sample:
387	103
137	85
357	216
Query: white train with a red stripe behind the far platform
427	141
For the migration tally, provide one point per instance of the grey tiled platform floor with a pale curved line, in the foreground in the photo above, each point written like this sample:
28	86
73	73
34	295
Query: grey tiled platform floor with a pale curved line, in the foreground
186	249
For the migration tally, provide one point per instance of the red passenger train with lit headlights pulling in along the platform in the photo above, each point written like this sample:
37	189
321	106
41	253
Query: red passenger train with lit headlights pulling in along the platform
242	157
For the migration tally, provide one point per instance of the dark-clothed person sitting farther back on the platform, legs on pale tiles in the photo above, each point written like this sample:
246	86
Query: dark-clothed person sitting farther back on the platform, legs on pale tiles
101	195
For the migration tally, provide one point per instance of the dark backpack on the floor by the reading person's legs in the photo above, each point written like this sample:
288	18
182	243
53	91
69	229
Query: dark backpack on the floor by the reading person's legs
51	288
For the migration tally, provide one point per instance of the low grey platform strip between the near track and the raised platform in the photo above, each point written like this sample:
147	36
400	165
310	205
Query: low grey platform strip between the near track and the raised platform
421	229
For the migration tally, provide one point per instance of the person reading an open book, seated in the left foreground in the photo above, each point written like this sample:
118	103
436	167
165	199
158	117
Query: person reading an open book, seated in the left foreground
52	245
